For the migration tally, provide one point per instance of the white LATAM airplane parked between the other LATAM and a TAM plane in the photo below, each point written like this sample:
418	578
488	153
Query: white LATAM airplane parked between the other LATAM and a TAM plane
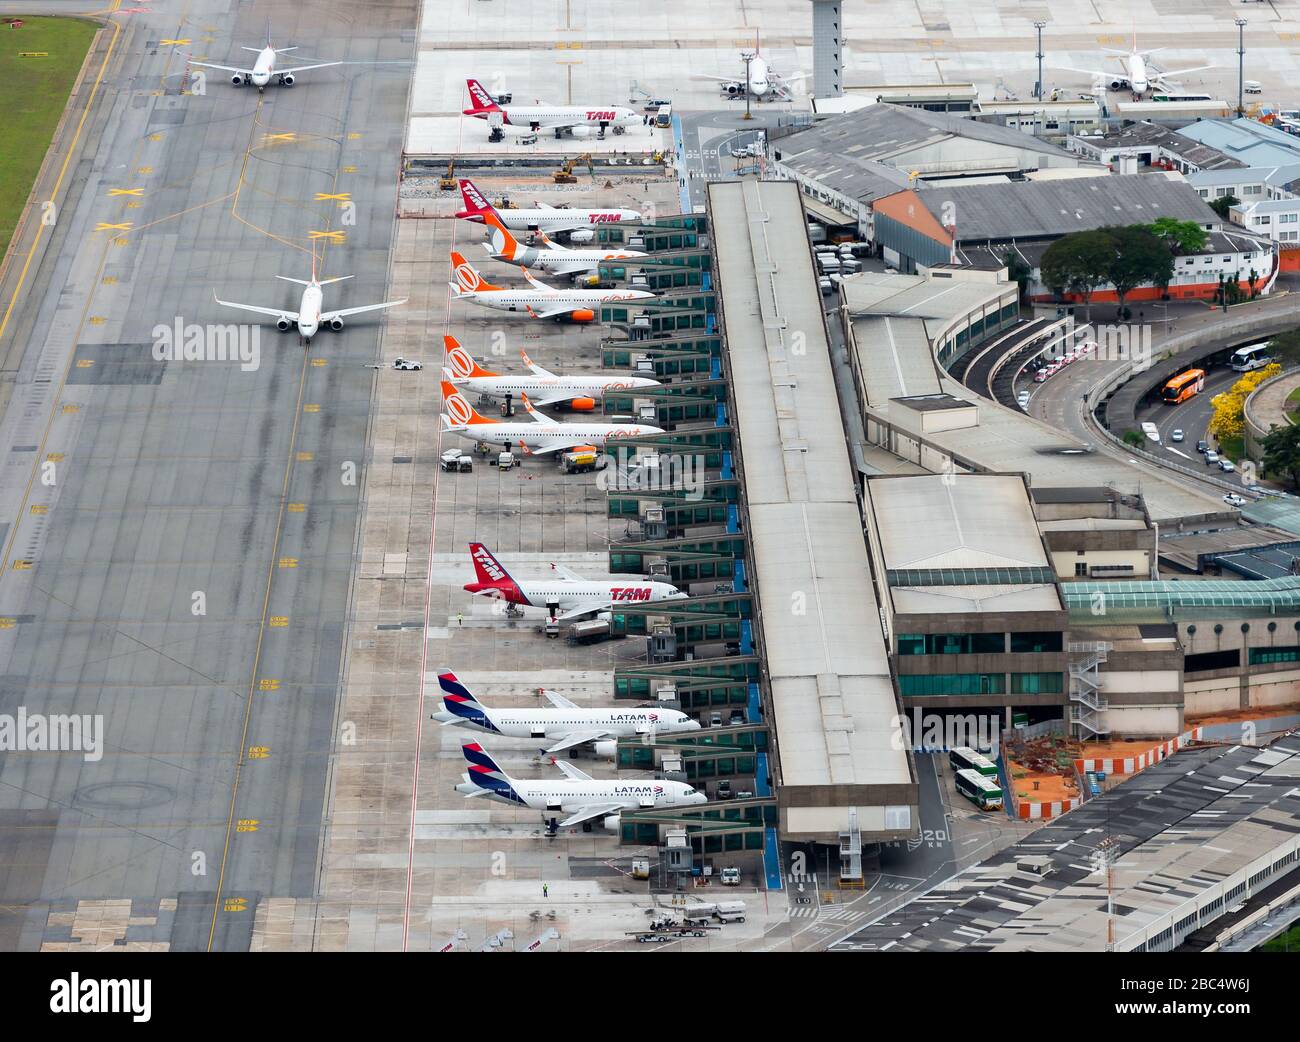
564	724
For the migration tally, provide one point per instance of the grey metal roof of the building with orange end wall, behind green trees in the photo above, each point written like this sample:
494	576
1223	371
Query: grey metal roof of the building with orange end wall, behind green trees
1028	210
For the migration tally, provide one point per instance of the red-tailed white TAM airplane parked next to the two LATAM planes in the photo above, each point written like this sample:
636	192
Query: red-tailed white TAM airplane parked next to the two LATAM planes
573	596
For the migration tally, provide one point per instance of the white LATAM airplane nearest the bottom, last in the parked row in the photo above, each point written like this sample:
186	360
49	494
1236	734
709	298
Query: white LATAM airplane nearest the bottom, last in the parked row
579	796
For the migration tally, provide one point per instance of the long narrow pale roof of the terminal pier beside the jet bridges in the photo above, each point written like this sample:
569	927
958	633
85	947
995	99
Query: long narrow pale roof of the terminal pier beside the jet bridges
827	666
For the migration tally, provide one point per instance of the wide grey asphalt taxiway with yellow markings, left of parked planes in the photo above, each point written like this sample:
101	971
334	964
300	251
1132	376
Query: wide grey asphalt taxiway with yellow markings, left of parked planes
180	535
